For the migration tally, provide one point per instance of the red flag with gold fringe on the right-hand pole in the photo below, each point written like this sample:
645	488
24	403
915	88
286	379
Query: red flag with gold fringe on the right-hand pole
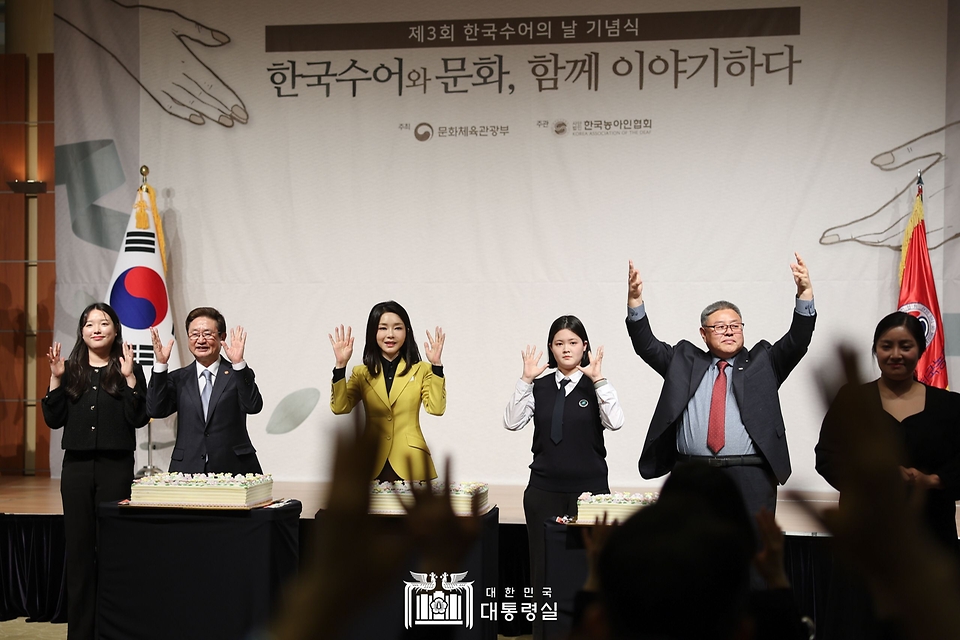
918	295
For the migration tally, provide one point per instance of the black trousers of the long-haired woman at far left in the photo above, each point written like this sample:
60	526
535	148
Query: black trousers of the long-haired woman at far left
88	478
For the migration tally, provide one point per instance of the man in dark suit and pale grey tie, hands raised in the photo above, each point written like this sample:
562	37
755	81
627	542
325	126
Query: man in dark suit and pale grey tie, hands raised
211	396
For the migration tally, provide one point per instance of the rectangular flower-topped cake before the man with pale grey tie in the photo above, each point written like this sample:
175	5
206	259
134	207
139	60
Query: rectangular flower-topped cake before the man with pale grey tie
213	490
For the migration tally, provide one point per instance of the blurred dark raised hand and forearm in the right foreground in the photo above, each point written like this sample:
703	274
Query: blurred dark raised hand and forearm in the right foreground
880	529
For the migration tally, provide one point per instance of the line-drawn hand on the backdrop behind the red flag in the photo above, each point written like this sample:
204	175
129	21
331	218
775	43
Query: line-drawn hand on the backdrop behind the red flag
875	230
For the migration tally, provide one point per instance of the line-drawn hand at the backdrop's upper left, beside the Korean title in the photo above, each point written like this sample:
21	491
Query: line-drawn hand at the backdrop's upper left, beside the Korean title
172	74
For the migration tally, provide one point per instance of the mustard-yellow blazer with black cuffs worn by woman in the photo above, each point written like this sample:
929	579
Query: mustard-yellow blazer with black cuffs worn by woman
395	420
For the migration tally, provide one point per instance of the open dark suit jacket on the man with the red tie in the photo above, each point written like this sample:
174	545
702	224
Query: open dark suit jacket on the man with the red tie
758	374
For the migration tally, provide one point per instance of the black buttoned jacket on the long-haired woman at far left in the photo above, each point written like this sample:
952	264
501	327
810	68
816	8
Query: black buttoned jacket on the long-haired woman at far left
98	421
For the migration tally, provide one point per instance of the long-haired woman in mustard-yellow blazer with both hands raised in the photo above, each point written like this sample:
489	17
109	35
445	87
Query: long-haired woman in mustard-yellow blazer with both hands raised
392	383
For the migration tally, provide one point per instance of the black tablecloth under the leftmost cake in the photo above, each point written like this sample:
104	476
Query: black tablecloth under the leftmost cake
190	573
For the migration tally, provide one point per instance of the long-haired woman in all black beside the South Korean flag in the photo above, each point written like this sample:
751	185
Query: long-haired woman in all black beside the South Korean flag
97	396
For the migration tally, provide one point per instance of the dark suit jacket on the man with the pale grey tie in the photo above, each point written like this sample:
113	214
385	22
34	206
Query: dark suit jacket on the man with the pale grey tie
223	435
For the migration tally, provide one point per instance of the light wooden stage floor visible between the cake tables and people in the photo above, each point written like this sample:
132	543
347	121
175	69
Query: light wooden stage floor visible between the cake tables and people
33	495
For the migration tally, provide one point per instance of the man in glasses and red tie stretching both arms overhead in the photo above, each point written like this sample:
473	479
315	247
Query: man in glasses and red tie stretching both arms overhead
721	406
